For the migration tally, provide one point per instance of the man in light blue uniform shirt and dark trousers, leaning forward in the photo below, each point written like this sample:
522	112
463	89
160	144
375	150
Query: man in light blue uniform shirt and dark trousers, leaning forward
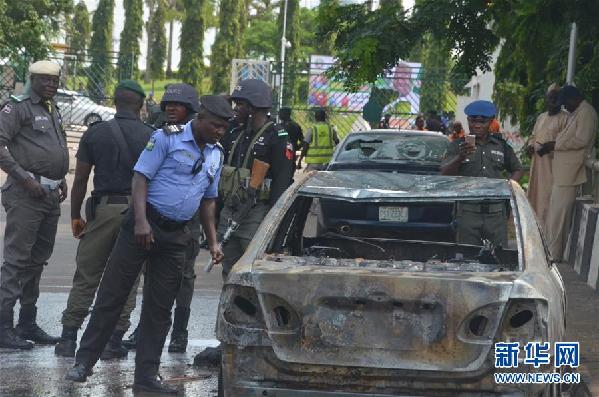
177	172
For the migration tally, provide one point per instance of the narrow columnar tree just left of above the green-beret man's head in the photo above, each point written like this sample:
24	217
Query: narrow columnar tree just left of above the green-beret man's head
100	50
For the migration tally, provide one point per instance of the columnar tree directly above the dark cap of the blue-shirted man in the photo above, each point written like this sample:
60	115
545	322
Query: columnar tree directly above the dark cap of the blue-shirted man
225	49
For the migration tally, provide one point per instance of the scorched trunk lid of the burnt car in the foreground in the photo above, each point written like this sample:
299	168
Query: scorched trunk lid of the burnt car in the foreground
380	318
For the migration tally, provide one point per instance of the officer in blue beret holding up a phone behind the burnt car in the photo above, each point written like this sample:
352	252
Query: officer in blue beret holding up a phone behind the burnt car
490	157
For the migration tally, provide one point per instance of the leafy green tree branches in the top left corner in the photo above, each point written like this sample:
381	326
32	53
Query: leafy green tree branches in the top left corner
29	26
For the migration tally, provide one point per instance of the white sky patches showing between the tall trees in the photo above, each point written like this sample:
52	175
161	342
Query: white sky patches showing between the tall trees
208	35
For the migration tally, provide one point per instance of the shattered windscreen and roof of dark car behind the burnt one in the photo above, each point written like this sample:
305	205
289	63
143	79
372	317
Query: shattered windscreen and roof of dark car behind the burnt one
415	152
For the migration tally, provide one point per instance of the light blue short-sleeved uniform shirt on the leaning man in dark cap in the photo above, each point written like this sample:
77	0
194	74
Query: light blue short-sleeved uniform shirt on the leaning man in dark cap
167	162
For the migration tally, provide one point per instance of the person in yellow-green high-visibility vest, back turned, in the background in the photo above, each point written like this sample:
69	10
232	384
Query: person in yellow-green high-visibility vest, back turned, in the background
319	143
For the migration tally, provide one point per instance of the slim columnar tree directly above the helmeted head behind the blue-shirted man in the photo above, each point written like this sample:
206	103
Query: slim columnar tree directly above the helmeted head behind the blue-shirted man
191	66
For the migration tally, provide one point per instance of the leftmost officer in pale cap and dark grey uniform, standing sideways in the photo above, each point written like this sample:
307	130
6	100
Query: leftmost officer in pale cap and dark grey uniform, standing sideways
34	154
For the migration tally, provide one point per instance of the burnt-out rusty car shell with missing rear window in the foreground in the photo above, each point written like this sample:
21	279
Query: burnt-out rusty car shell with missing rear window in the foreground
318	308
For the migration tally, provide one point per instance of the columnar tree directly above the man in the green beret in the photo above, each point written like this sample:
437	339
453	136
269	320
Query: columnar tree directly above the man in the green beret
129	48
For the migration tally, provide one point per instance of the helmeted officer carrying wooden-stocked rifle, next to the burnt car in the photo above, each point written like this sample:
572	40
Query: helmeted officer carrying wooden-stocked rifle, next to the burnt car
258	168
